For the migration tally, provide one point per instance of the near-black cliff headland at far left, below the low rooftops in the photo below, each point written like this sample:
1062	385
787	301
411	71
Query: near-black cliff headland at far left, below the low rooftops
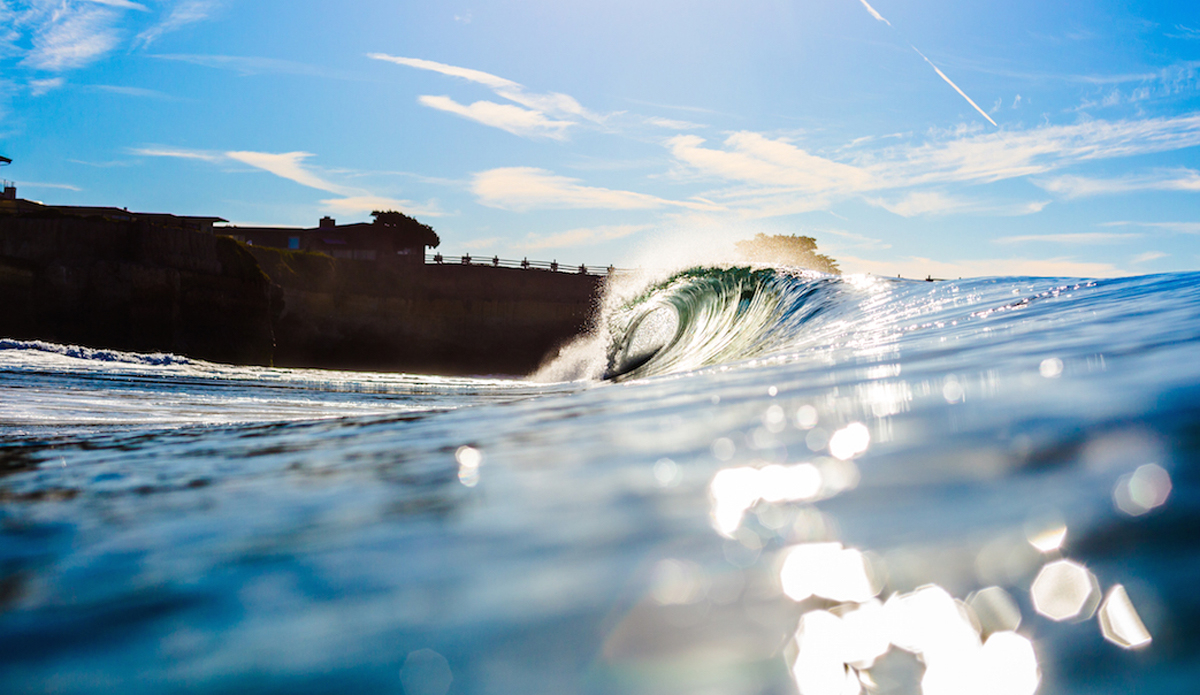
133	286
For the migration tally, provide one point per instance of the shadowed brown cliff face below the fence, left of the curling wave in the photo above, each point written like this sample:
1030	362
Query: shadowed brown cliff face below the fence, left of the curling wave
449	320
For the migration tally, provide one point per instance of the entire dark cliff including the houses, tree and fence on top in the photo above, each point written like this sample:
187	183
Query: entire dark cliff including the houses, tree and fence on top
334	297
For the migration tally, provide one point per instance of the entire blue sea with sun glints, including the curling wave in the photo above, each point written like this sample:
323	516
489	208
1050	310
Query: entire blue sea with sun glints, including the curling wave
793	483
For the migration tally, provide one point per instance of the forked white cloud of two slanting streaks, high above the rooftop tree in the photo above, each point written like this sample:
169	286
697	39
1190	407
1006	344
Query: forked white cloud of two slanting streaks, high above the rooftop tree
536	116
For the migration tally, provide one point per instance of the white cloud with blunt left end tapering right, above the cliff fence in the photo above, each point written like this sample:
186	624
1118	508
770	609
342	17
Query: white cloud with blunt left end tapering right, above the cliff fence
523	189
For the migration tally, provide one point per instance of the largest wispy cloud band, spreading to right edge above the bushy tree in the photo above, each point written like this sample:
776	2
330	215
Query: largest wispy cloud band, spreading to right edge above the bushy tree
766	177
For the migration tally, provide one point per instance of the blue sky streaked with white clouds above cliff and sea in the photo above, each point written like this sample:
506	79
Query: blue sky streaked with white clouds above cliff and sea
941	139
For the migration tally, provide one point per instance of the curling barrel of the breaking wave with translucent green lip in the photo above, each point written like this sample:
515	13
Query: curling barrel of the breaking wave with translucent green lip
709	316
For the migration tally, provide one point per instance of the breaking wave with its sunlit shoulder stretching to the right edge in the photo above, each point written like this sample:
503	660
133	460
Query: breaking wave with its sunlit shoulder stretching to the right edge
713	316
